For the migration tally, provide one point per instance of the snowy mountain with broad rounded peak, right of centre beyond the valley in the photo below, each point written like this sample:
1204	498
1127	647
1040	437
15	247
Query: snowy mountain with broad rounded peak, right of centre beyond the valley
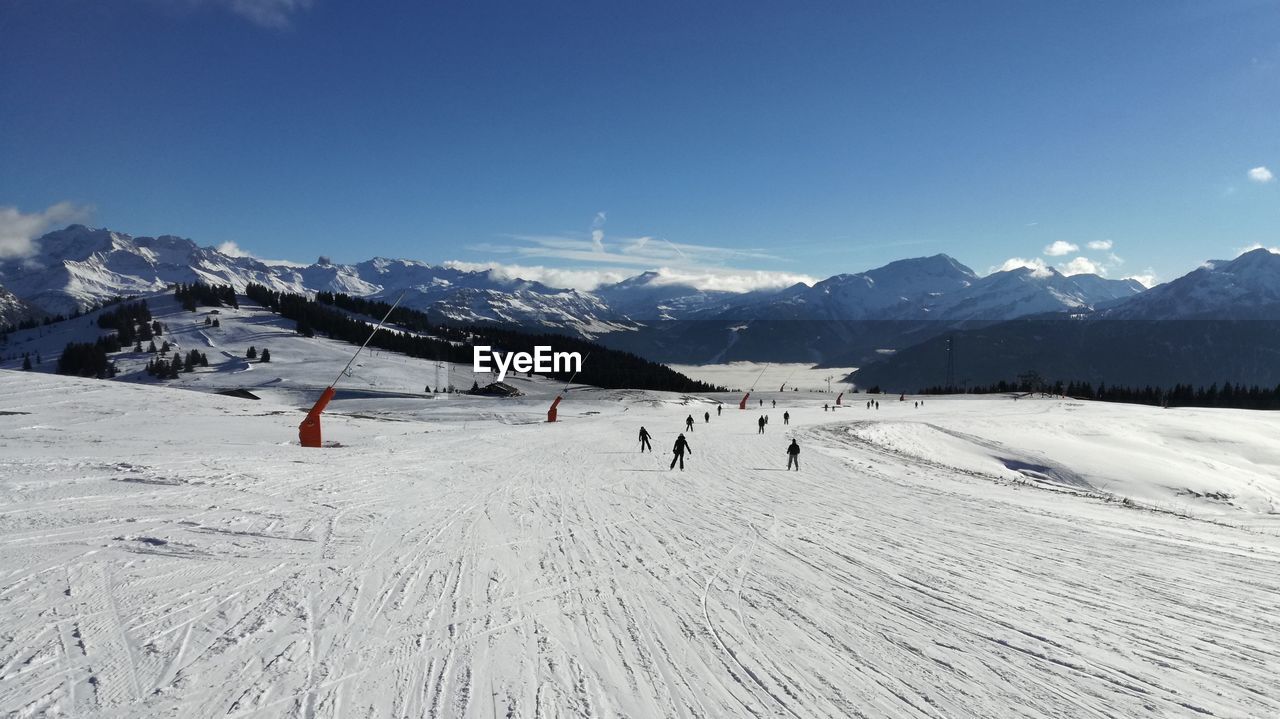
851	319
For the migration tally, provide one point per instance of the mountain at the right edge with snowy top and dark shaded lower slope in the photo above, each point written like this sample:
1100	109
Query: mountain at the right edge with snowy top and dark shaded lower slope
1217	324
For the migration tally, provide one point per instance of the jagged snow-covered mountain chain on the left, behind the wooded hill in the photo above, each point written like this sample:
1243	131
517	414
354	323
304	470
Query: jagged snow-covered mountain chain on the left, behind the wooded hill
80	267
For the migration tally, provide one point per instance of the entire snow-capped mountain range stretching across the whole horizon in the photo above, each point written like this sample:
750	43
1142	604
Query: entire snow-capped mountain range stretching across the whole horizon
879	319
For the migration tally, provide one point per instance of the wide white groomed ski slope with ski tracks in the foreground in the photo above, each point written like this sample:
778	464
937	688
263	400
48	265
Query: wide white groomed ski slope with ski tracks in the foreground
170	553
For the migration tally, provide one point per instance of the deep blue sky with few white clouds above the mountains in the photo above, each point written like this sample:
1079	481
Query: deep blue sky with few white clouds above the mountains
737	143
